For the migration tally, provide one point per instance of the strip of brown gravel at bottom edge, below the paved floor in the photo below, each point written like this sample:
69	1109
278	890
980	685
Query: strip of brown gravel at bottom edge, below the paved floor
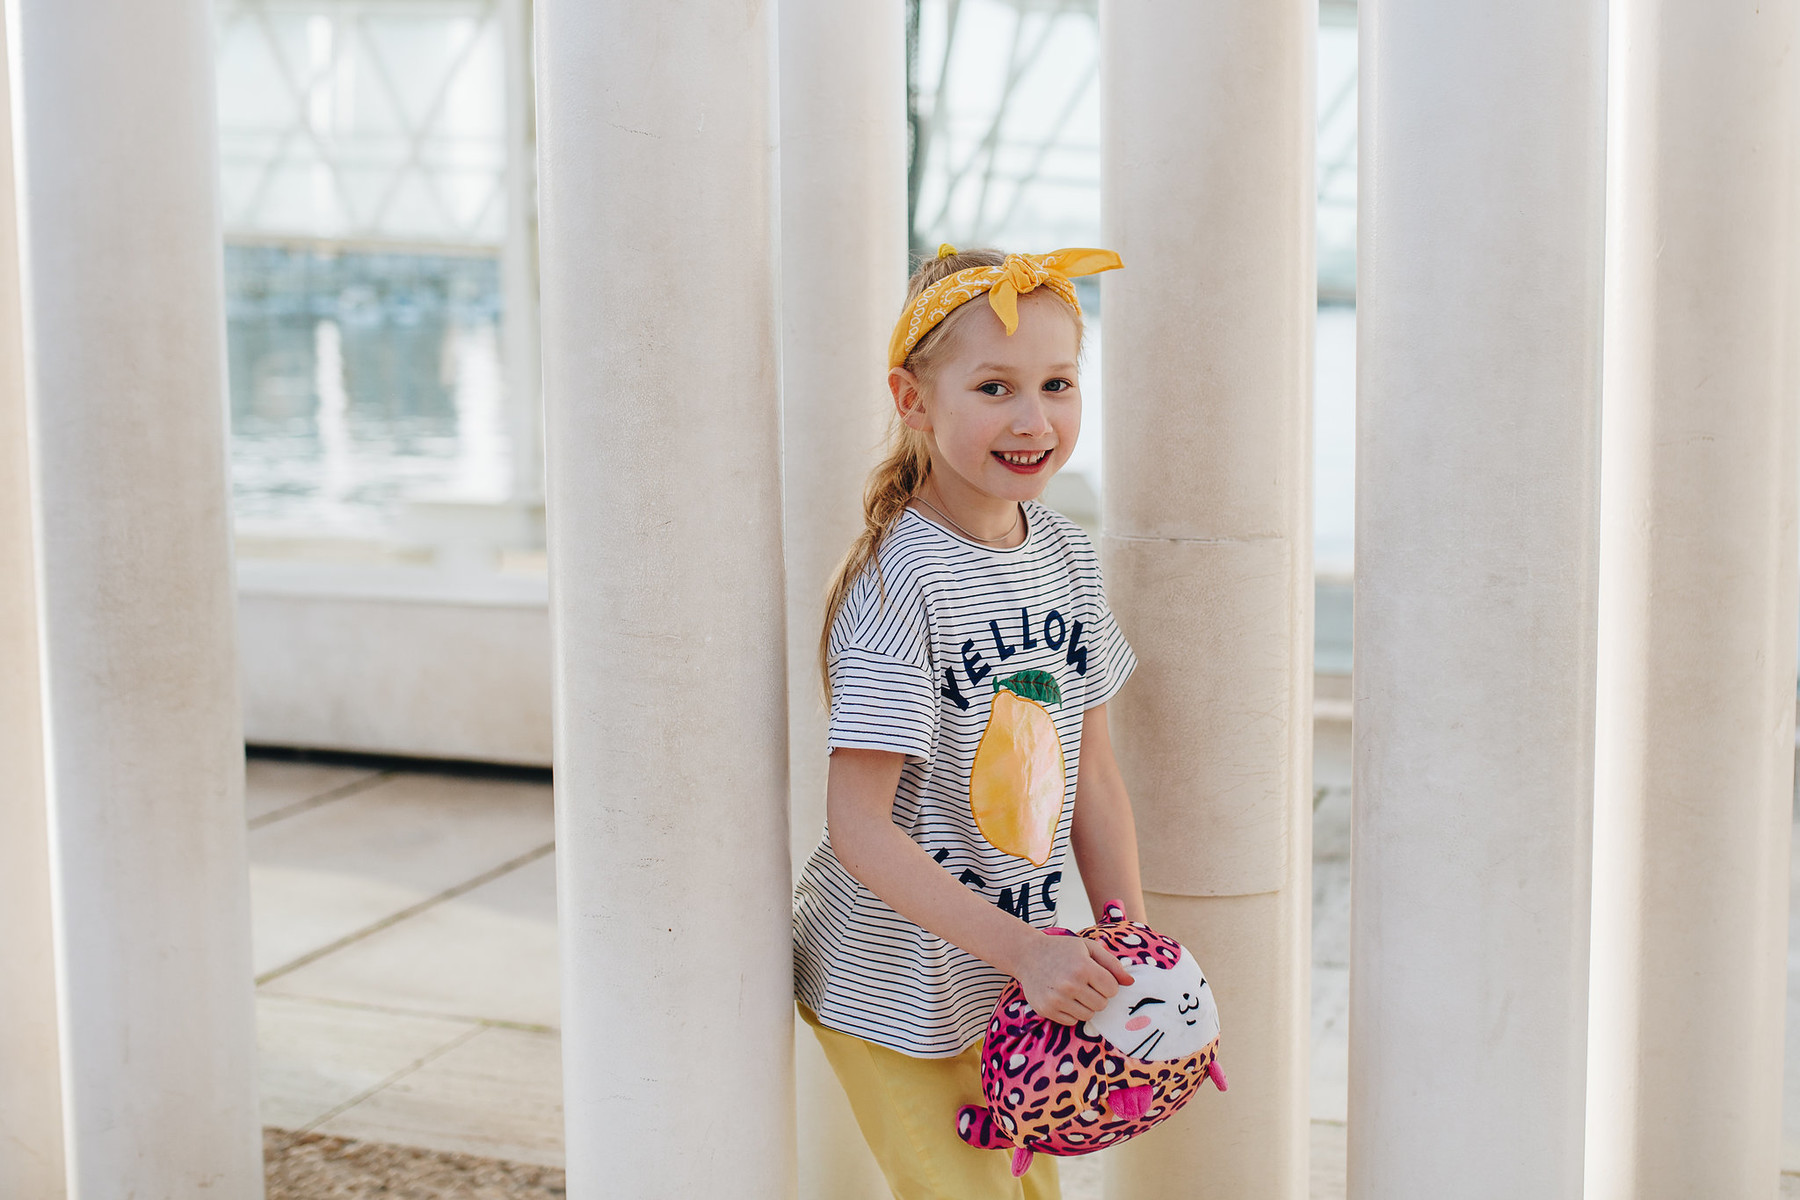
312	1167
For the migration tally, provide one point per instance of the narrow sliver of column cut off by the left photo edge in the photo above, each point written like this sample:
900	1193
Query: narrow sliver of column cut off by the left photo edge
31	1113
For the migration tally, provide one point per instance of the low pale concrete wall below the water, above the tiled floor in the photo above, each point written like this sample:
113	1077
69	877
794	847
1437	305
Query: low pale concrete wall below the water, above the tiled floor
397	661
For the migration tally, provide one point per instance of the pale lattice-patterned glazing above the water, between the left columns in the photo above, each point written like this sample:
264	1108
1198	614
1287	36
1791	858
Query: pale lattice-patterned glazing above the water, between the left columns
363	121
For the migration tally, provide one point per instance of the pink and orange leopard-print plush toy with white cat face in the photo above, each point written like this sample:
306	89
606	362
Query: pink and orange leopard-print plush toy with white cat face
1075	1089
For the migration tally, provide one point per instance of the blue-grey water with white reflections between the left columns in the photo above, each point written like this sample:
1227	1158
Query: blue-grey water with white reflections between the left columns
359	382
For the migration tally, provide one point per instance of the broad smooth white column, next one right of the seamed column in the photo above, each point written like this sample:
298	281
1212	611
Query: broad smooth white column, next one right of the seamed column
1479	294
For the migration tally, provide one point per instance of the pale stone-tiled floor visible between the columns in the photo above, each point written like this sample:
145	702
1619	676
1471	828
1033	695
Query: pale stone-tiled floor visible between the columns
406	953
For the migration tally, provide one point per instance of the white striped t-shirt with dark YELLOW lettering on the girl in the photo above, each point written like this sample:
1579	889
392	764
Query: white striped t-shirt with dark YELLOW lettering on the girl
915	658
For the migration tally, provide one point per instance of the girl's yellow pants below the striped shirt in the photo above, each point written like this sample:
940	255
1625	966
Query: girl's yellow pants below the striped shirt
906	1109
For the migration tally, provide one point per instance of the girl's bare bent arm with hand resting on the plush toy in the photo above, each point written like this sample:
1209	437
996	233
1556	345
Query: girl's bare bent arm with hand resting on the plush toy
1066	980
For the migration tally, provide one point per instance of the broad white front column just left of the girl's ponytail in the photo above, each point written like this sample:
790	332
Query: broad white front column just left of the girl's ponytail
658	220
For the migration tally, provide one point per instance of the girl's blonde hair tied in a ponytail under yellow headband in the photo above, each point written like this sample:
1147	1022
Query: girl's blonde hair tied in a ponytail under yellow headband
906	467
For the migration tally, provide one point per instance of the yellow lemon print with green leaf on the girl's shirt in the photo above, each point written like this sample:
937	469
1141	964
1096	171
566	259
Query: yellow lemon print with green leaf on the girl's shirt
1018	782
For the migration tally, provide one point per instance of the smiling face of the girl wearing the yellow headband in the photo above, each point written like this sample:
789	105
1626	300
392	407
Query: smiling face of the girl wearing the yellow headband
1002	413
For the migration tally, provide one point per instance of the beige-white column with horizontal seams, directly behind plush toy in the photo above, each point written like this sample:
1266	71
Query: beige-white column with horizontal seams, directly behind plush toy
1209	546
